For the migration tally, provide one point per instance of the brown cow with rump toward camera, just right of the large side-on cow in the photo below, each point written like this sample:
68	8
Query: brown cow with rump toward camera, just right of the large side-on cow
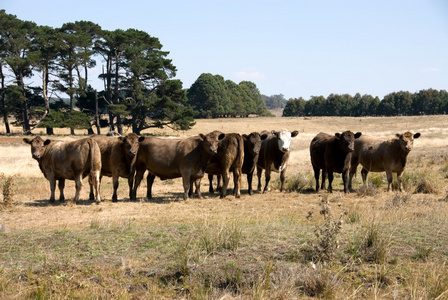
229	158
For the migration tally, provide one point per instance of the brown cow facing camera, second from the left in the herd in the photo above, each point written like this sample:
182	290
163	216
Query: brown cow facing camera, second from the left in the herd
118	155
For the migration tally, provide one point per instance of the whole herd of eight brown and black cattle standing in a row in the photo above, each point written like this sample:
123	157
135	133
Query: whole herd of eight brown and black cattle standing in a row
215	153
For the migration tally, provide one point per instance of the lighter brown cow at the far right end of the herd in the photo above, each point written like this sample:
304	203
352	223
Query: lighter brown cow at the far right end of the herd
377	155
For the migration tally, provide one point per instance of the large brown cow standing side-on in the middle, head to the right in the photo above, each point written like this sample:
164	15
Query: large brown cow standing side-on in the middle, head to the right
172	158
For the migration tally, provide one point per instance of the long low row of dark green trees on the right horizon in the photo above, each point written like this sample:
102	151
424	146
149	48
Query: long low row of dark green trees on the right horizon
403	103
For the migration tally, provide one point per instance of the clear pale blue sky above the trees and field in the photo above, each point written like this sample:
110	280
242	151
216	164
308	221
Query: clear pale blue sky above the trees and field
295	48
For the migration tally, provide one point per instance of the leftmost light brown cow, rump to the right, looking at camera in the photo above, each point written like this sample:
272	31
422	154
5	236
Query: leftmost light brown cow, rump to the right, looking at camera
74	160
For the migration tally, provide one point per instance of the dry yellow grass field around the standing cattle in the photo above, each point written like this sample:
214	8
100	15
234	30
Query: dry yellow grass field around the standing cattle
370	244
